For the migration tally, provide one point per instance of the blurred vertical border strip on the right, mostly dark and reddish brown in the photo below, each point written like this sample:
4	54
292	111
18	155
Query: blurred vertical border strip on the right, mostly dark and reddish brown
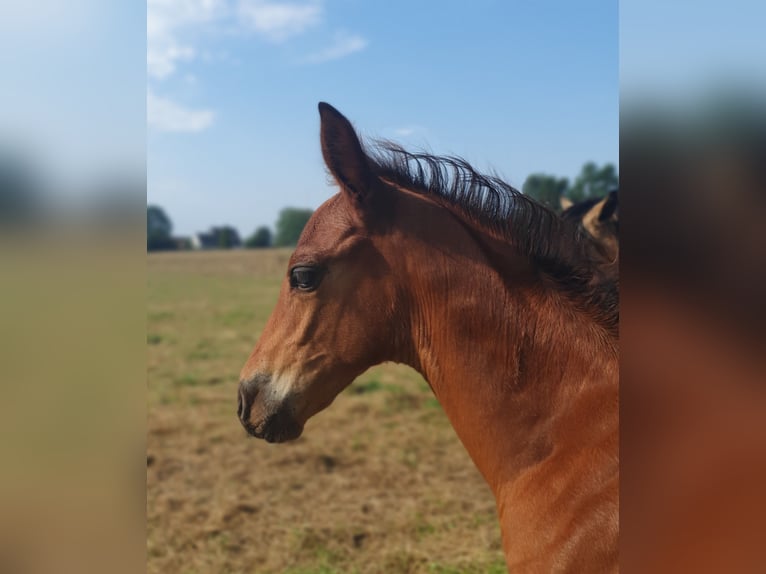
693	151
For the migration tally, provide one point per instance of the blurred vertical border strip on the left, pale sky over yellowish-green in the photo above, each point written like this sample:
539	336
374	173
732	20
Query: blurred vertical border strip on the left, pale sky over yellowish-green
72	305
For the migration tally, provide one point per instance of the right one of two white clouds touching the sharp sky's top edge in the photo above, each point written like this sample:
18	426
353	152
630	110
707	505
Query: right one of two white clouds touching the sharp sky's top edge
278	21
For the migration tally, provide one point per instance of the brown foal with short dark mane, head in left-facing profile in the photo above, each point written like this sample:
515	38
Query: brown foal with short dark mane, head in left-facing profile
494	300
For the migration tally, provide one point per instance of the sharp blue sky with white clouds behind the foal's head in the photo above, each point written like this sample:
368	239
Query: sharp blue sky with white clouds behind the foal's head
233	130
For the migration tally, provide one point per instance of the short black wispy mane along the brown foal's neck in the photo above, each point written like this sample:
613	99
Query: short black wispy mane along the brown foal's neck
554	244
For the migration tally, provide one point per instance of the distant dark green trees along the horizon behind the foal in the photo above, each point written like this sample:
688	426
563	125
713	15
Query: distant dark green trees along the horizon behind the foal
592	182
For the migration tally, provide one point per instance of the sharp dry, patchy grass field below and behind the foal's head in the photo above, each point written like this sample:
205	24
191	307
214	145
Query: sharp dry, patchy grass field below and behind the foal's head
378	483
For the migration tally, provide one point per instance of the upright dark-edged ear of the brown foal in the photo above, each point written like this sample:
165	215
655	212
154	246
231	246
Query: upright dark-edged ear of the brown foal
343	153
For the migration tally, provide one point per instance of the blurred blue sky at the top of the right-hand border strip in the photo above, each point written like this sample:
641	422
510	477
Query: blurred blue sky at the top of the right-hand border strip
680	51
